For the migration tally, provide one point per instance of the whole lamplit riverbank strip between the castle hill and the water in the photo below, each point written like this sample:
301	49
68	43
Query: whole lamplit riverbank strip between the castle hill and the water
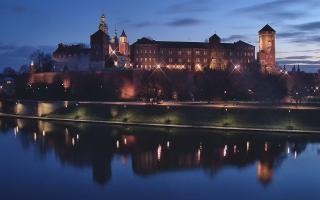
228	116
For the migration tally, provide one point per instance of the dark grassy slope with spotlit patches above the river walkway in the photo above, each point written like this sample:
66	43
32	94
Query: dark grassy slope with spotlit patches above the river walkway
250	118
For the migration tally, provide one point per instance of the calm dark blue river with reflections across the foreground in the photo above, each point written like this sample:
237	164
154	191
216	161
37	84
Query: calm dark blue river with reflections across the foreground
51	160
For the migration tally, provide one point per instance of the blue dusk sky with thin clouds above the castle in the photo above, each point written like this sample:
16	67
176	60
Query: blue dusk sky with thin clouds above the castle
28	25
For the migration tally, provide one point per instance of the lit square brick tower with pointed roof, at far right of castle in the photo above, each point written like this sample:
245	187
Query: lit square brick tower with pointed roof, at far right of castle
267	49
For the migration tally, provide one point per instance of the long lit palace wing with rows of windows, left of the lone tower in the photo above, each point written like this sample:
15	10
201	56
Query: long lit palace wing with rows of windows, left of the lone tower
193	56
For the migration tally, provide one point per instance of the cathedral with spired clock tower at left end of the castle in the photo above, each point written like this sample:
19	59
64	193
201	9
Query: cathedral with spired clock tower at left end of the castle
102	49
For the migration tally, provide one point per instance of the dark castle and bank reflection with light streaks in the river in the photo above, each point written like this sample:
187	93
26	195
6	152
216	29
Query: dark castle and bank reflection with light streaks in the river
153	151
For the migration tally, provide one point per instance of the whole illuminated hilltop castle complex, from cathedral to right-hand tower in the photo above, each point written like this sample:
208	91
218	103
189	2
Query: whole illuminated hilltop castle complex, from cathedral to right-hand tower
149	54
